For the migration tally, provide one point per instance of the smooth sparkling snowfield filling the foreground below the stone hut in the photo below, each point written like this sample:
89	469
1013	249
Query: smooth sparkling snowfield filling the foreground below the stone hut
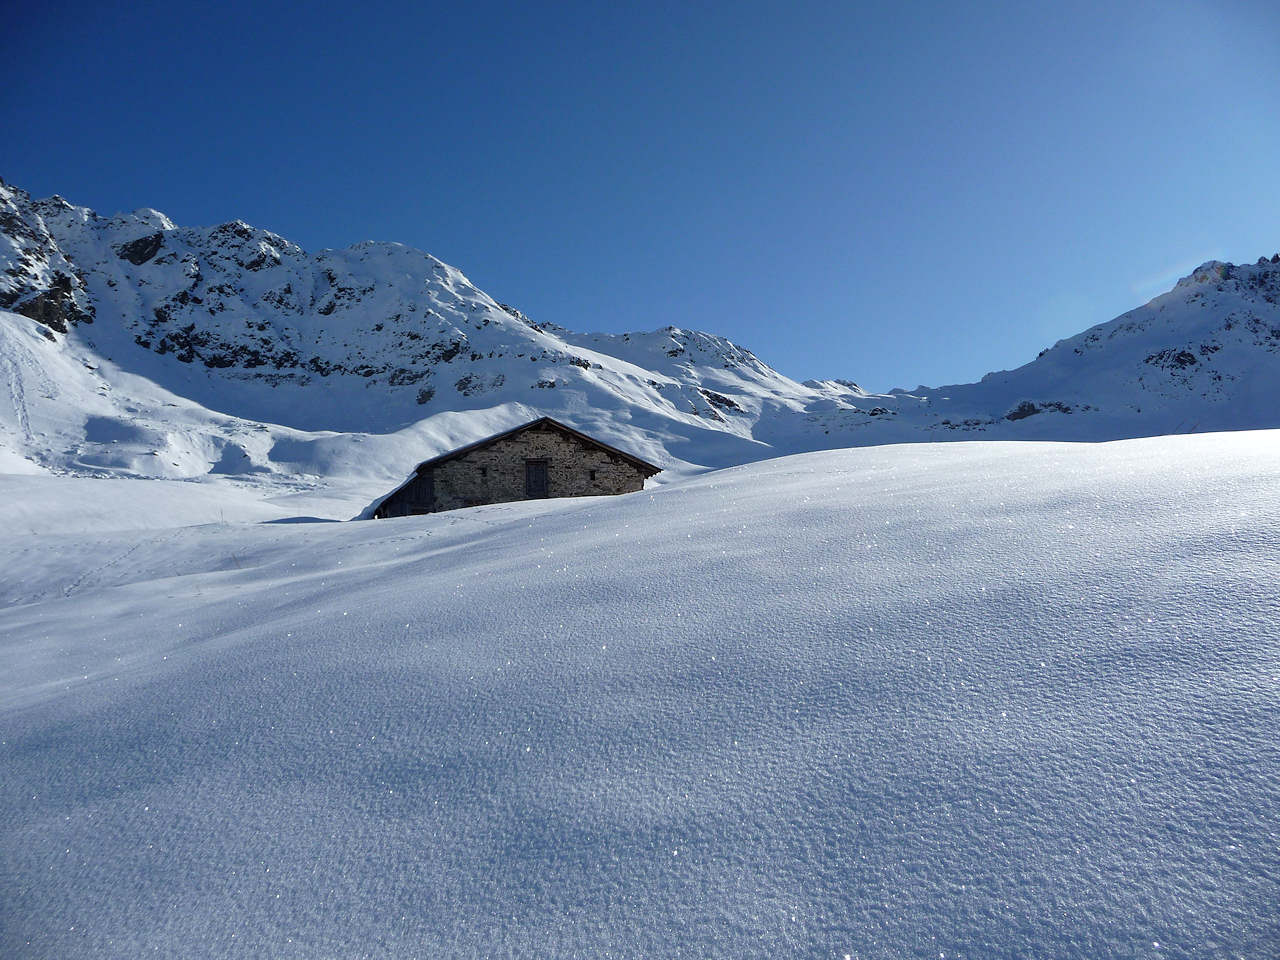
982	701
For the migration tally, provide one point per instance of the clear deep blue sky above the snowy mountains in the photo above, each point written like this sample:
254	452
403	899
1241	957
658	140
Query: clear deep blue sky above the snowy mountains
898	194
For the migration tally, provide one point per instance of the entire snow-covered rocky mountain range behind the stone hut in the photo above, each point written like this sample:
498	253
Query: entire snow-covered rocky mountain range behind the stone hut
138	348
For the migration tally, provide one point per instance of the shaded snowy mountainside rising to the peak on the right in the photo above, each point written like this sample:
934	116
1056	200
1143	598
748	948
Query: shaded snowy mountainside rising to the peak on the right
1205	356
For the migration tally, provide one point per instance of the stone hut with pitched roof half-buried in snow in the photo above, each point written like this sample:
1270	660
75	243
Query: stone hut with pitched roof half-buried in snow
541	459
